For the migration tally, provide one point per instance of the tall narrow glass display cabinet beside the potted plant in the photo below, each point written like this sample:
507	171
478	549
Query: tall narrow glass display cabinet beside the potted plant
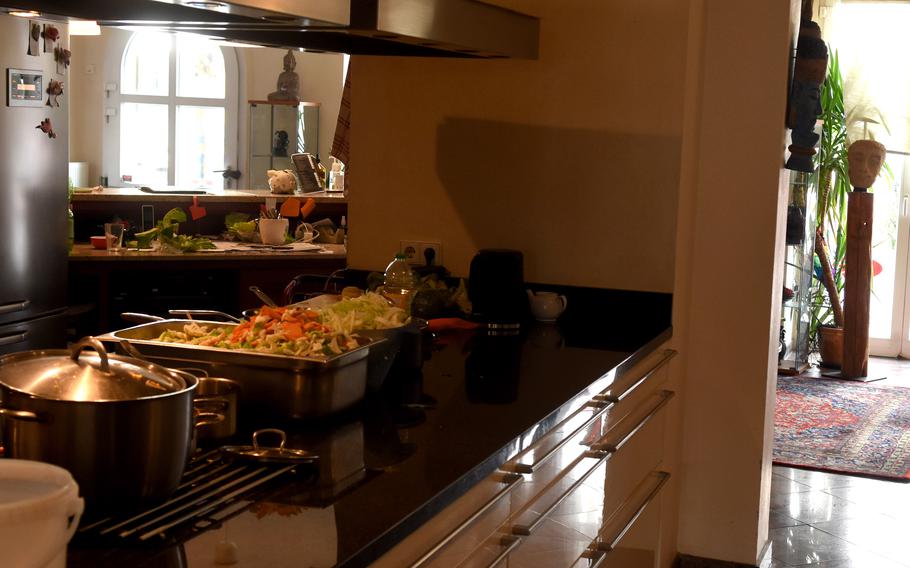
795	320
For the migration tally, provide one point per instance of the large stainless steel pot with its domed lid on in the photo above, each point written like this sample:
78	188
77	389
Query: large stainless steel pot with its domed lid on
122	427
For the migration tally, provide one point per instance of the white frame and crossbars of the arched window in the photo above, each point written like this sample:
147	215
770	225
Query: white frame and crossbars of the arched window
113	99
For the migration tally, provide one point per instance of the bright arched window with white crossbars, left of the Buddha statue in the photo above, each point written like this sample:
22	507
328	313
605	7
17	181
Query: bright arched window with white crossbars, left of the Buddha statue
172	115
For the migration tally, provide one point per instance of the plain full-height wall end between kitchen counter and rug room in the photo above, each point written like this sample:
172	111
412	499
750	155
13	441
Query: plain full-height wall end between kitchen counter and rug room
728	284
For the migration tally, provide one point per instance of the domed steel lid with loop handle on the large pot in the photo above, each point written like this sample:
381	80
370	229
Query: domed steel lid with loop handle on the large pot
77	376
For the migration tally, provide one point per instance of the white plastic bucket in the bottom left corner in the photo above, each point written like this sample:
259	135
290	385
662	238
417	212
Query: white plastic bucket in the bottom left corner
40	509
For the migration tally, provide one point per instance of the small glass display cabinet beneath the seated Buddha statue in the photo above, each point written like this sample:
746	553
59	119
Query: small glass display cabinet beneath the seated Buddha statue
278	130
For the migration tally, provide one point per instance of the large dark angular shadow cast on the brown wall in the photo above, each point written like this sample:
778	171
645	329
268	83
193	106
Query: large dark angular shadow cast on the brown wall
612	204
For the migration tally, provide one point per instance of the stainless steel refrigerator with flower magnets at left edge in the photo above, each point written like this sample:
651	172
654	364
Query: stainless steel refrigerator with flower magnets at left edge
33	192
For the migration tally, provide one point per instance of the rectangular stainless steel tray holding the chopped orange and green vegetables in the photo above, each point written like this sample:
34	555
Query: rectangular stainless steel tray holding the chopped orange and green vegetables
277	385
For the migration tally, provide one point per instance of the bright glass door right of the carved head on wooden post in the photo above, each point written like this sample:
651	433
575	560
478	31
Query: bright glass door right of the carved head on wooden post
889	317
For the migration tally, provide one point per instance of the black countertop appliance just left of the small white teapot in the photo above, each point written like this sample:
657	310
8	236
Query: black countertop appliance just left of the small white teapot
496	289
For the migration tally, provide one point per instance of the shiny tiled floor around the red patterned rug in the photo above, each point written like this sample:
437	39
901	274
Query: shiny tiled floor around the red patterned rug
826	520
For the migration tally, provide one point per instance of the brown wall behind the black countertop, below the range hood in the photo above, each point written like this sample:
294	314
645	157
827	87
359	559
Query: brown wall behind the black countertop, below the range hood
572	158
